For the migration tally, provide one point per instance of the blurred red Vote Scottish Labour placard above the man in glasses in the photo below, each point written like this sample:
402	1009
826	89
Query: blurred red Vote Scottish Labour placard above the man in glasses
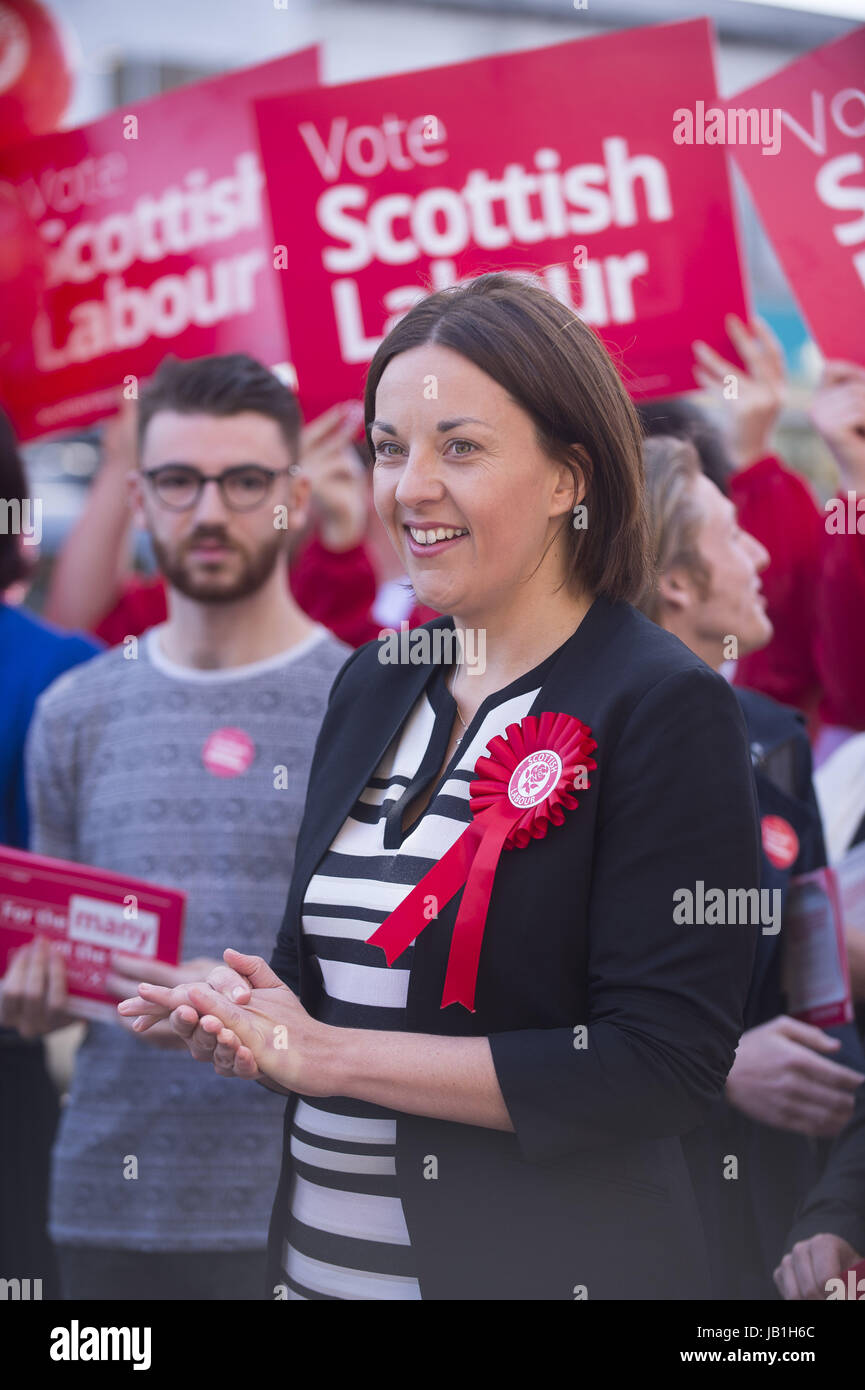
138	236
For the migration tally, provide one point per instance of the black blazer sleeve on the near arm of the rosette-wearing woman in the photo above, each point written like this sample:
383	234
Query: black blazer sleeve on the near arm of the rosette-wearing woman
665	1000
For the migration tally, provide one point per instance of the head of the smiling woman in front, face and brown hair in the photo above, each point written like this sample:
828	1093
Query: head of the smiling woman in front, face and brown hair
557	420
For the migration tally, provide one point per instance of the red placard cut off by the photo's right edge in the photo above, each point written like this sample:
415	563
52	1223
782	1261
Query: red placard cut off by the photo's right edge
811	194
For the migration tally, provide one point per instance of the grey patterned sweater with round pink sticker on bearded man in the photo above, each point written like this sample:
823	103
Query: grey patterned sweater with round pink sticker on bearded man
175	775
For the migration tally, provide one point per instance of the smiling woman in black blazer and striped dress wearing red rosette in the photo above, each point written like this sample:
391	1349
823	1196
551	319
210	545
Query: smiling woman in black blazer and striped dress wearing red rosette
517	1136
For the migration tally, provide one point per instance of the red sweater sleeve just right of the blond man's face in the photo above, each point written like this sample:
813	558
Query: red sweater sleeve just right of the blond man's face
777	507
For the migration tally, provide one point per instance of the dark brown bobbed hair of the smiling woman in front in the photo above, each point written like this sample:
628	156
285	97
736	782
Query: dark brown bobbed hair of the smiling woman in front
560	373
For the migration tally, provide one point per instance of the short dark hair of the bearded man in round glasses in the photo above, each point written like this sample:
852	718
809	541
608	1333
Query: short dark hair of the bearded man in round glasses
222	386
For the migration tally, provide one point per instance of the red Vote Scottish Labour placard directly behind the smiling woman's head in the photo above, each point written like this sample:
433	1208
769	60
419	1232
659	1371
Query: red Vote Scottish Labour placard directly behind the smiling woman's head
380	191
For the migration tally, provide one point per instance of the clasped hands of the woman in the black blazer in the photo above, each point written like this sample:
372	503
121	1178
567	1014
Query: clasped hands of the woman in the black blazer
243	1020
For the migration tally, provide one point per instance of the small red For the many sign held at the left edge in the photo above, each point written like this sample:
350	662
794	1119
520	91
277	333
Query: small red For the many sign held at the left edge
87	915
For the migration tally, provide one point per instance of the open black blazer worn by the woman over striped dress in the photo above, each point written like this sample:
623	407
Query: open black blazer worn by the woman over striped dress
590	1197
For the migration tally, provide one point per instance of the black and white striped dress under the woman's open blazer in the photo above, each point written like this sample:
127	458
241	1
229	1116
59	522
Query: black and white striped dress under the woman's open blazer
347	1235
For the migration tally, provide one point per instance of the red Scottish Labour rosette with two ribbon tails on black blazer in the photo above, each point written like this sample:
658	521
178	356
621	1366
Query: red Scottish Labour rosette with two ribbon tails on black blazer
524	786
